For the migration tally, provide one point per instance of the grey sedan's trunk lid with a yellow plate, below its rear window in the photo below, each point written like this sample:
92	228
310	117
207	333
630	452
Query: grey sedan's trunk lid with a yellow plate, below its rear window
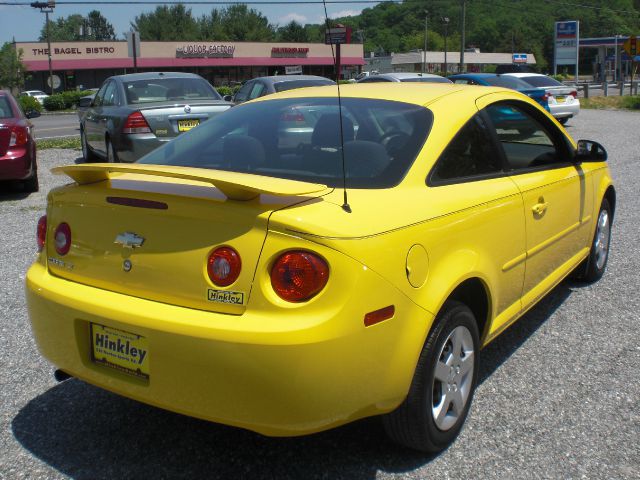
172	120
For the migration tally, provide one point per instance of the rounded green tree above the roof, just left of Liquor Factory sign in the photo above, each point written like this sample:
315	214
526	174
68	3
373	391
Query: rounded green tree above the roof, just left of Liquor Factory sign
172	23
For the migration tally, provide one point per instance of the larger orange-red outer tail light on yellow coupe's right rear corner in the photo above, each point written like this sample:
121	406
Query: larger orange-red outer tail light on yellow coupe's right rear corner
297	276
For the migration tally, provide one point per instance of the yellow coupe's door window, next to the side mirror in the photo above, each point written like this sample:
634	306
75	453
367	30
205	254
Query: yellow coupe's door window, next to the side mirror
525	140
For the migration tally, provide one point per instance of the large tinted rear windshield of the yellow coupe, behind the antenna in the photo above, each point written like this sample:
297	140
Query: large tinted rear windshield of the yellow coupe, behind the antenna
299	139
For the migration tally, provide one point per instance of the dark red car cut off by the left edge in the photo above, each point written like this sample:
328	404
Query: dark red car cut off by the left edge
17	146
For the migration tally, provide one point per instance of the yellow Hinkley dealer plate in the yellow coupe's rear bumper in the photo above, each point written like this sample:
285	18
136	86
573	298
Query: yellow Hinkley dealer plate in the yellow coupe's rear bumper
123	351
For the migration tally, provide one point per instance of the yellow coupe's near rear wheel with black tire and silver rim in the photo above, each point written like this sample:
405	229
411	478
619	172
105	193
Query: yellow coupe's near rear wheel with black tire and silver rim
445	379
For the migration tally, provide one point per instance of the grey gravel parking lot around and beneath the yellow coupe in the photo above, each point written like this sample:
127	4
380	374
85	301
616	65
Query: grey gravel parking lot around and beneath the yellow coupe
558	395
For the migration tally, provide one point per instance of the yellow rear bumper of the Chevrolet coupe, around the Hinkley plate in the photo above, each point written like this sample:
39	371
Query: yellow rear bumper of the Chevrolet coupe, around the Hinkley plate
246	371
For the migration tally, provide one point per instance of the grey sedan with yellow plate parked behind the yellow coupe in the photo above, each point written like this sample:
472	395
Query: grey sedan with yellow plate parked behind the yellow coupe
131	115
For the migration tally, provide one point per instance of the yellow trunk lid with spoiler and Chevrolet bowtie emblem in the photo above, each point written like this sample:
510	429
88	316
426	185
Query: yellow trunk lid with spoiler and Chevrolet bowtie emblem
147	231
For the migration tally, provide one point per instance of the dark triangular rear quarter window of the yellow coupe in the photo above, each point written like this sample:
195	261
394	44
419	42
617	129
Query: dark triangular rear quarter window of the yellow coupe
470	154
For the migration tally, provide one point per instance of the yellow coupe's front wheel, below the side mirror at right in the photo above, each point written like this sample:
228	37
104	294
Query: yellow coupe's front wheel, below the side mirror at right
593	267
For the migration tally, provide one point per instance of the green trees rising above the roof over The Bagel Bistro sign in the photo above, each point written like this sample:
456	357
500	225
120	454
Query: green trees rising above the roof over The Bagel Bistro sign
76	27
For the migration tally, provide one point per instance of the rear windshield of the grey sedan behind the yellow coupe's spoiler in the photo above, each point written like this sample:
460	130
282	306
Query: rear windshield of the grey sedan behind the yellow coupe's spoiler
163	89
